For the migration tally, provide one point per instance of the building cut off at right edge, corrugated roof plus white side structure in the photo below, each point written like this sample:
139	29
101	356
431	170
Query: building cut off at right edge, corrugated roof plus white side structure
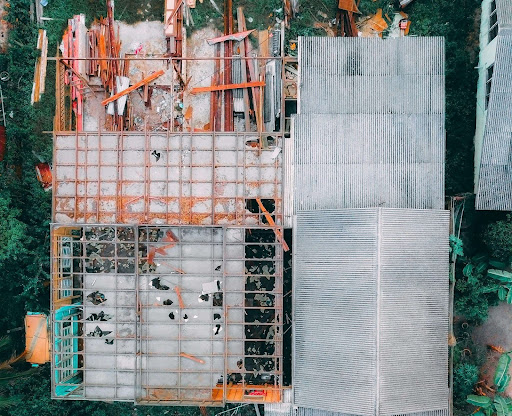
493	165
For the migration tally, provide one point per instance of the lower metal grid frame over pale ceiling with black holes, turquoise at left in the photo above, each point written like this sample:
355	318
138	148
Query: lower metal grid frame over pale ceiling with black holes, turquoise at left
120	265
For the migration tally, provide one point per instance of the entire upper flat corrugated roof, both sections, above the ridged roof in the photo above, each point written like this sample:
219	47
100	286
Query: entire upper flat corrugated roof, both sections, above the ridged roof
370	131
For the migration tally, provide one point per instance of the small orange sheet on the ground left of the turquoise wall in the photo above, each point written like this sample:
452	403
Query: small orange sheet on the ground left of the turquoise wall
37	346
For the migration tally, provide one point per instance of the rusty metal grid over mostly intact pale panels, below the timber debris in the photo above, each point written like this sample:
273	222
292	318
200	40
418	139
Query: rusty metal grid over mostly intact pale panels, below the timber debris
201	179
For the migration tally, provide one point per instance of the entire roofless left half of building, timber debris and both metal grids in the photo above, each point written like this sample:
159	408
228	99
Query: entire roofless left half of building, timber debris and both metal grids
167	247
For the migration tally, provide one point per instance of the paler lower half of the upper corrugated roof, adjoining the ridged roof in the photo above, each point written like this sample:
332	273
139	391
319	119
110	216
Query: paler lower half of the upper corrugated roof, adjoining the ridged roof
357	161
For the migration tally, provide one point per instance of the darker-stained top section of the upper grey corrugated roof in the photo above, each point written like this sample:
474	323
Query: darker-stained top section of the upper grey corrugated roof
371	76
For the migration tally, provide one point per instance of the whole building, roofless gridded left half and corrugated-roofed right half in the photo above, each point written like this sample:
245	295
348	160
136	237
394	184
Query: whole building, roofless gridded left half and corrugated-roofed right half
179	177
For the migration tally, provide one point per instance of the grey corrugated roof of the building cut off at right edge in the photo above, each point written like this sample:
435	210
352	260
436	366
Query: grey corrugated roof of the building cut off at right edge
494	189
